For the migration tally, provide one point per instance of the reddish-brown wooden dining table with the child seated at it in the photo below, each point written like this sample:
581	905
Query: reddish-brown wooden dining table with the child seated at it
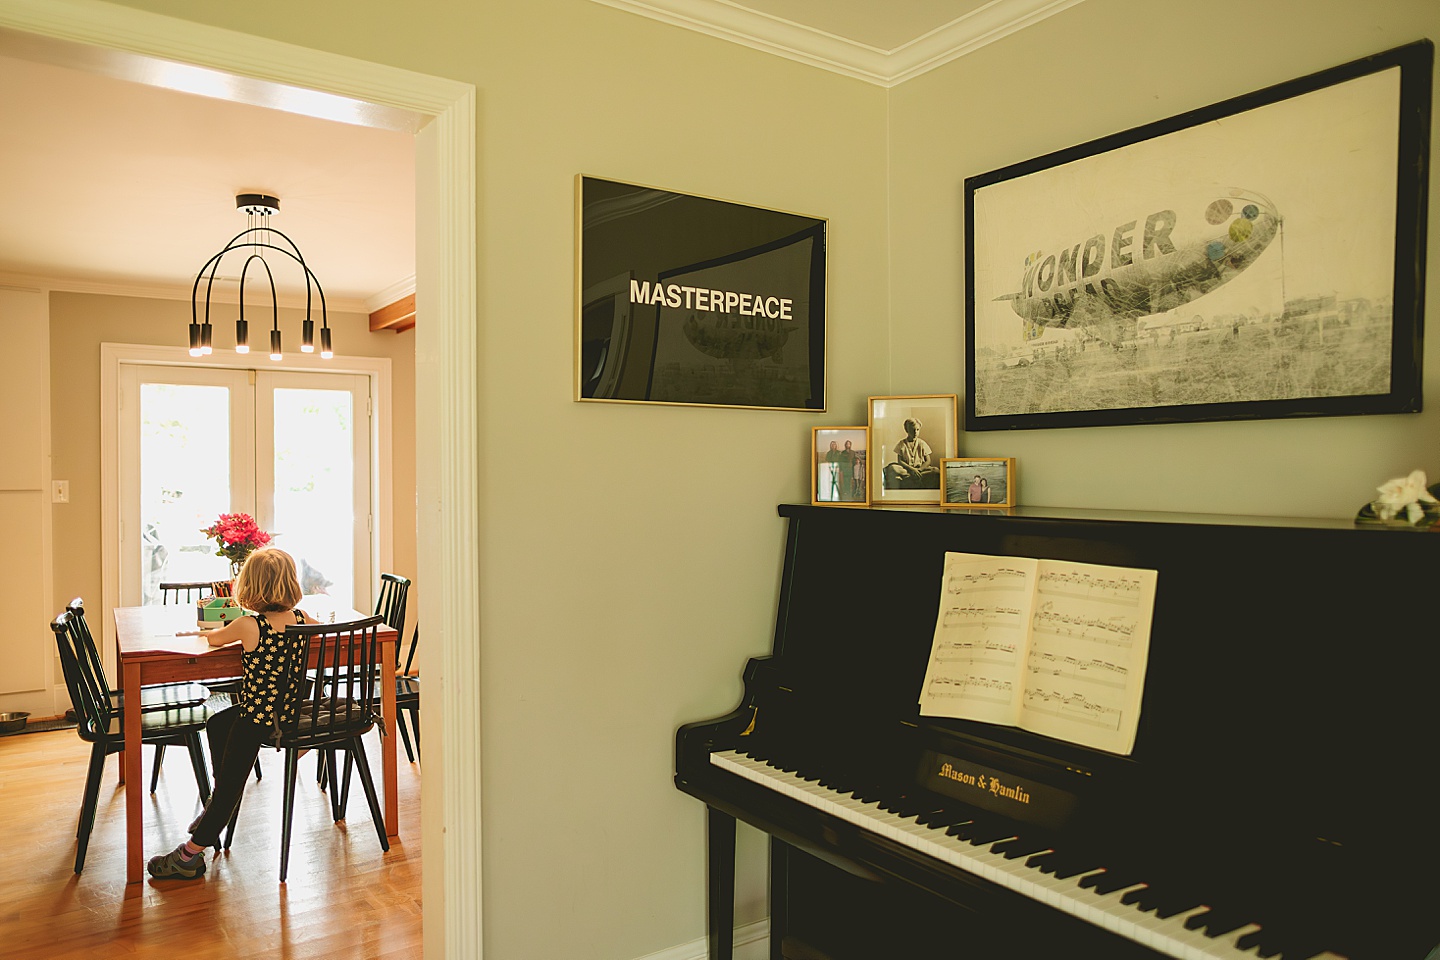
152	650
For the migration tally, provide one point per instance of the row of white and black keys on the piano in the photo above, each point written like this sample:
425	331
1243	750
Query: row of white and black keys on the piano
1170	935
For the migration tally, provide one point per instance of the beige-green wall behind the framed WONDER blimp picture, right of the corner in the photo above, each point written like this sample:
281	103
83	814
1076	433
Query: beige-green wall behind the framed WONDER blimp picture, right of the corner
1099	68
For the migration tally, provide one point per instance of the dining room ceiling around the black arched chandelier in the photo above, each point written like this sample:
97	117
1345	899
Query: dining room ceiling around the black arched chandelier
127	188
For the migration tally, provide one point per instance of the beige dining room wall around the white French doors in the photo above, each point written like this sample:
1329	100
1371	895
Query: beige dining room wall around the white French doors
81	323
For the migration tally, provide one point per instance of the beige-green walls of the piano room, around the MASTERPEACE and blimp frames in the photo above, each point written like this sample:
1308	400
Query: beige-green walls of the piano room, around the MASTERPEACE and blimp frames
623	588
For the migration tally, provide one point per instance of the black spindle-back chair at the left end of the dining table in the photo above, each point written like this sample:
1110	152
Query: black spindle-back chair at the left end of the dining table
100	722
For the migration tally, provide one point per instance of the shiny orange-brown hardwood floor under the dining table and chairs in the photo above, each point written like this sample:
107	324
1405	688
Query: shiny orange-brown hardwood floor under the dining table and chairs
343	897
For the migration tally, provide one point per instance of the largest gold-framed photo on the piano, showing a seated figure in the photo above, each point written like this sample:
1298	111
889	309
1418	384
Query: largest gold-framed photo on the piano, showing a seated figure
912	435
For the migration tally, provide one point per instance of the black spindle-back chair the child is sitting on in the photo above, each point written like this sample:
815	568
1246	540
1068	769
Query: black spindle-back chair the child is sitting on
333	713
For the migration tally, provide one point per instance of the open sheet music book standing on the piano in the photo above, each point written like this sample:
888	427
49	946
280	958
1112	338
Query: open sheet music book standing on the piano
1052	647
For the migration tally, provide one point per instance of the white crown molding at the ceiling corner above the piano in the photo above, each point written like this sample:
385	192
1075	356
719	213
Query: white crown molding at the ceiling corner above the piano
817	48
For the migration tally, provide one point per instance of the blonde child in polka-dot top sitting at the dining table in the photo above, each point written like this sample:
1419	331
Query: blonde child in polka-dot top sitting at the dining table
270	587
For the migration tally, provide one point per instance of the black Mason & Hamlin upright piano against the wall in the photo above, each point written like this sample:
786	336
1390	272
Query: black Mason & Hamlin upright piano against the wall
1279	801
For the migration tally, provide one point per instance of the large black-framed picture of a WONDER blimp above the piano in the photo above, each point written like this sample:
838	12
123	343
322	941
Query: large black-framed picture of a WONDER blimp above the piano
1258	258
